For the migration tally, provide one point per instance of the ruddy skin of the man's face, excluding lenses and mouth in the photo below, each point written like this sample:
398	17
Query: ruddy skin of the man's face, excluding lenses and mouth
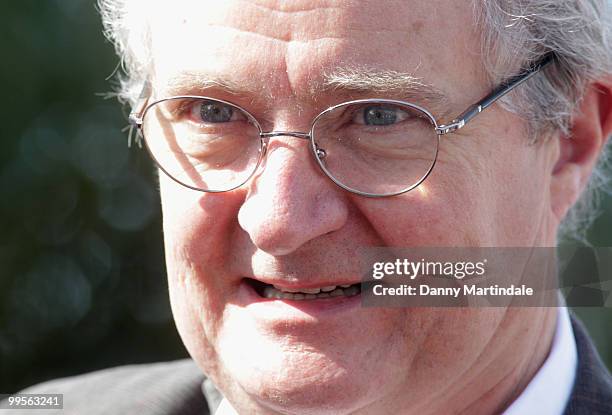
291	226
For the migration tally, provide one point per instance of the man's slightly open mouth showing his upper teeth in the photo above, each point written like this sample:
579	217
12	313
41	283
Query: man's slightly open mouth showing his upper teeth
274	291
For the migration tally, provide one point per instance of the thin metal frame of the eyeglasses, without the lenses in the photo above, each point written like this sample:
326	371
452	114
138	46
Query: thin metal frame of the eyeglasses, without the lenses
139	111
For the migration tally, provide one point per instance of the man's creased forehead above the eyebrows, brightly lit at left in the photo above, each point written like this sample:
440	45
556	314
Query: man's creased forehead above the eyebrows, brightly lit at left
282	49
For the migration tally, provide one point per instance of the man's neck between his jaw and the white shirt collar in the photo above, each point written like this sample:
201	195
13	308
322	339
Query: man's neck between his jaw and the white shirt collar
504	368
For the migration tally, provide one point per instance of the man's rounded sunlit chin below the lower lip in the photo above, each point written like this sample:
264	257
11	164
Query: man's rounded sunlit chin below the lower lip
287	376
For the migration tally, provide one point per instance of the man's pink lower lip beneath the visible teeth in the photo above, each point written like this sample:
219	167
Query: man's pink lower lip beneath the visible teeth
288	309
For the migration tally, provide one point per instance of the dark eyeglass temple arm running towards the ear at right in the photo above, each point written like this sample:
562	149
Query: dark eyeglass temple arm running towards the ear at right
505	87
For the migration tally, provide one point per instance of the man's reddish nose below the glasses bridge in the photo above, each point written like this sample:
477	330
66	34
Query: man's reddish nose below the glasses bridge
290	202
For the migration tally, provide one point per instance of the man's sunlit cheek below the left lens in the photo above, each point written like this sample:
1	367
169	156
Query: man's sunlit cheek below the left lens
196	235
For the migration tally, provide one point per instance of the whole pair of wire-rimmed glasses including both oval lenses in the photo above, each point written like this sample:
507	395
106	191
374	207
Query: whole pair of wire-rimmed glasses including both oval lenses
371	147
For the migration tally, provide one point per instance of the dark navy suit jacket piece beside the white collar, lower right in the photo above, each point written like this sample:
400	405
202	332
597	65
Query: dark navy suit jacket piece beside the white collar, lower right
592	392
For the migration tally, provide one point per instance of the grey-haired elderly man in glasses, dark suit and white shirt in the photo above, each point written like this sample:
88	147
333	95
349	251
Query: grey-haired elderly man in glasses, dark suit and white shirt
292	134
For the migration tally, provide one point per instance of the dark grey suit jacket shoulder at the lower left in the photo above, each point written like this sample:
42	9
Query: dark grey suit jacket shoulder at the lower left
169	388
